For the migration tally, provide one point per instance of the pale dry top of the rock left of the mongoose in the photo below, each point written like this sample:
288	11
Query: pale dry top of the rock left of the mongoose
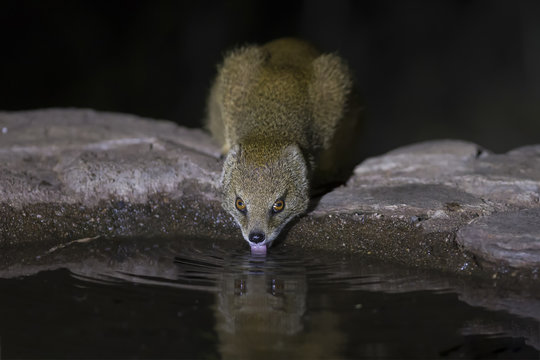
81	156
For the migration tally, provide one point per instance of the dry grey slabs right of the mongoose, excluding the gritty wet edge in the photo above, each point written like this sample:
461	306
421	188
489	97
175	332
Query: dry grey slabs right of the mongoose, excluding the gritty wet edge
443	185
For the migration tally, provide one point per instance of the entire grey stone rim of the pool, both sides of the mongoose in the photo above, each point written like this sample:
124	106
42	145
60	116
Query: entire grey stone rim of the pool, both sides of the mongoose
67	174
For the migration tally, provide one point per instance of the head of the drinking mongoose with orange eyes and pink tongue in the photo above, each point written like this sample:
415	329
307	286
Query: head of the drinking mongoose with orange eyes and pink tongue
264	187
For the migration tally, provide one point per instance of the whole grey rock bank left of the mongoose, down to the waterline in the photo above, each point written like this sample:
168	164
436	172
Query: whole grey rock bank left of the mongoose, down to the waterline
70	174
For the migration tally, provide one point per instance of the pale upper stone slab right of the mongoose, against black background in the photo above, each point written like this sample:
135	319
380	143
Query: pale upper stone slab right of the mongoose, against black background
501	181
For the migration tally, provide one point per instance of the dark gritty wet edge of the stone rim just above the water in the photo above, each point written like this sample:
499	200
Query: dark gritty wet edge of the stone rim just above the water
388	238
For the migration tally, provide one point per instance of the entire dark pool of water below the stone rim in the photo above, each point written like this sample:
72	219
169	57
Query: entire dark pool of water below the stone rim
157	298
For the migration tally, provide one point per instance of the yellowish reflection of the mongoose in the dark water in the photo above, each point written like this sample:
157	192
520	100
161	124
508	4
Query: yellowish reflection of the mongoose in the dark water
257	311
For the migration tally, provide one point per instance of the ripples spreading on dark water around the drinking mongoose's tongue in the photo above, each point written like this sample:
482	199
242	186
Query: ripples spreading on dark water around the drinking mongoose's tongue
198	266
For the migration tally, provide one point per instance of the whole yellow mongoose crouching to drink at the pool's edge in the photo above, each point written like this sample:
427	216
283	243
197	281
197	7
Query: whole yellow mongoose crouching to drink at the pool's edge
276	109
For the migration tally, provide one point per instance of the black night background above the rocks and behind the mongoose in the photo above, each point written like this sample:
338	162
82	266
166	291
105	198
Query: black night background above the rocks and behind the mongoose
427	69
